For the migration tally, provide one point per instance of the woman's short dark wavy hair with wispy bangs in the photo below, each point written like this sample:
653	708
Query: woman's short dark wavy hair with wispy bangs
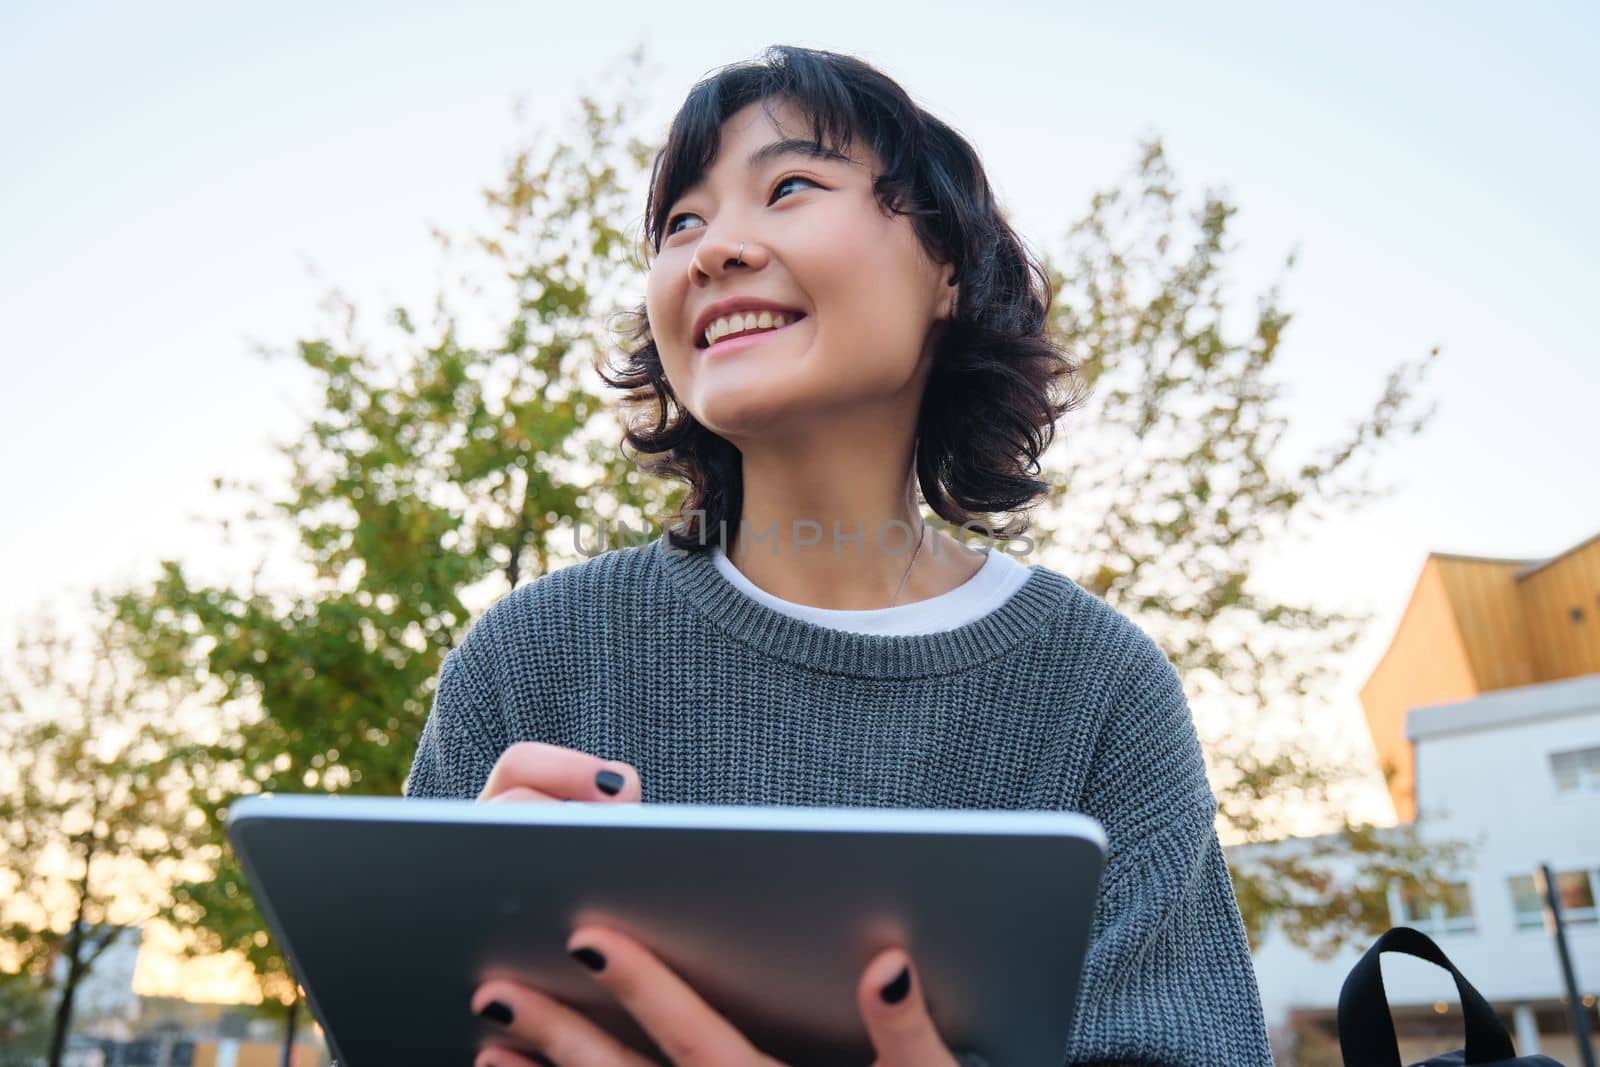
999	383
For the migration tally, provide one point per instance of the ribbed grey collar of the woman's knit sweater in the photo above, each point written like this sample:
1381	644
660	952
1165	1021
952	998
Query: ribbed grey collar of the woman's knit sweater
1023	618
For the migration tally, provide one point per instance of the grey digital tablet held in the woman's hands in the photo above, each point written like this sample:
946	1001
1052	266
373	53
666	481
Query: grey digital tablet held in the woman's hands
393	911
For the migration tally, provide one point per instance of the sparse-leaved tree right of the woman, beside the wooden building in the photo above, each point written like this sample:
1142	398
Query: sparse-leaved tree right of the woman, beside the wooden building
1172	489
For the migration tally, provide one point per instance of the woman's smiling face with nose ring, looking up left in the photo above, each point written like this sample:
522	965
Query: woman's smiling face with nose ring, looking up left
817	242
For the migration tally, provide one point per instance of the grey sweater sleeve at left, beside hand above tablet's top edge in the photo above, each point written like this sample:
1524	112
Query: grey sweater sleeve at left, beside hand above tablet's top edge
457	751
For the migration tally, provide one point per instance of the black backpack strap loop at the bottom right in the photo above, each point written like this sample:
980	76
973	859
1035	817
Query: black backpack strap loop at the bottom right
1367	1033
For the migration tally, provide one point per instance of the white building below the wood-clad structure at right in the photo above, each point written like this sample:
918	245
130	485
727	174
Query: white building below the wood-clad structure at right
1518	773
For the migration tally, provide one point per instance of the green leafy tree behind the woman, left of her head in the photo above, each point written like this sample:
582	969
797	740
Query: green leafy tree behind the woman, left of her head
431	466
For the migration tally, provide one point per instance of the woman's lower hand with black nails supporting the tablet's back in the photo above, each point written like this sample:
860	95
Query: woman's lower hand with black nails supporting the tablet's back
684	1026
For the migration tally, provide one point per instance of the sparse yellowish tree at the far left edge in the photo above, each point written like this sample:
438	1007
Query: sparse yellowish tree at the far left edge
90	809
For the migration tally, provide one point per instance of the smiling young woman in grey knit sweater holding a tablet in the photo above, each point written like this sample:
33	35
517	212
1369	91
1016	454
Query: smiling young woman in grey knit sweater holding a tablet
838	316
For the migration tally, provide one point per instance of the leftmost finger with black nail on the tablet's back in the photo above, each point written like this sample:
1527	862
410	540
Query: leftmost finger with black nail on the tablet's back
532	1020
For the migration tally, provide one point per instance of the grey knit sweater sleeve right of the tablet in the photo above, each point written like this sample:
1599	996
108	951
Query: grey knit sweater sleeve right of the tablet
1169	977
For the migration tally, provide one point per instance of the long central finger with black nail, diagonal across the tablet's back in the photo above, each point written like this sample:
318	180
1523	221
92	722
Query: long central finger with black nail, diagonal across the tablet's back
682	1026
